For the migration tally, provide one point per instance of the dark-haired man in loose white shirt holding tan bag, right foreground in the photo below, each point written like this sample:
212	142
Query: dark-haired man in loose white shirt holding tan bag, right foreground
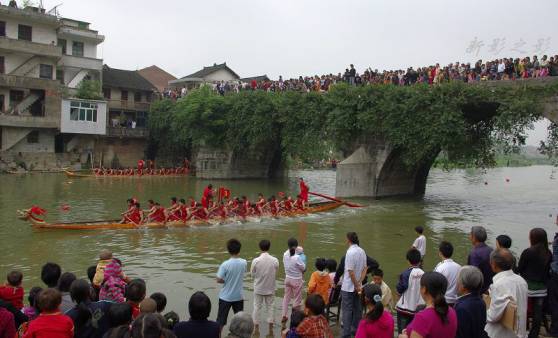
506	287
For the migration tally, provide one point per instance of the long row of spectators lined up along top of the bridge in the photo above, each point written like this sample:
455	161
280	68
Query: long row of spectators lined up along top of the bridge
498	69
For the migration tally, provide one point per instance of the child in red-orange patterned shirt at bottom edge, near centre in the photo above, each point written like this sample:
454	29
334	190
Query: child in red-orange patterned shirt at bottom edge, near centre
315	325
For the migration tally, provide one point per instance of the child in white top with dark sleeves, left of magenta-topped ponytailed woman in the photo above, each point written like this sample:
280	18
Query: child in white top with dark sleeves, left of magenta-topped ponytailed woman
408	287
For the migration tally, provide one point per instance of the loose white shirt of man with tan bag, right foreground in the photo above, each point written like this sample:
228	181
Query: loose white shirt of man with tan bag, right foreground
506	287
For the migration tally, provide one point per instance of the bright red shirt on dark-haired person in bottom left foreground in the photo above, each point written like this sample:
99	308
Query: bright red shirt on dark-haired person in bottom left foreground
50	325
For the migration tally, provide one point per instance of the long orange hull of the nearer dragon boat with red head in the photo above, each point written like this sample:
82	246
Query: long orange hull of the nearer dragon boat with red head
113	224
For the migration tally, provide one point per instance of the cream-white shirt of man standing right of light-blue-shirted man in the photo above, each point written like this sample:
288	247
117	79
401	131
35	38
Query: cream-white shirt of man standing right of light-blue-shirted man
264	270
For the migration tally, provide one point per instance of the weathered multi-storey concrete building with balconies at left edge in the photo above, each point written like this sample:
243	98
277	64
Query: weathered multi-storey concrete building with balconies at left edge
43	58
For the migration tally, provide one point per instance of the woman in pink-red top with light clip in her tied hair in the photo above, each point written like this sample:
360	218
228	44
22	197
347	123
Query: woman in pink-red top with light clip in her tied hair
377	323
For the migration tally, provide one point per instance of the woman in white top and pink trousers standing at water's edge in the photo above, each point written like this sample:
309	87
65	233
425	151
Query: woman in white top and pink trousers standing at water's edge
294	278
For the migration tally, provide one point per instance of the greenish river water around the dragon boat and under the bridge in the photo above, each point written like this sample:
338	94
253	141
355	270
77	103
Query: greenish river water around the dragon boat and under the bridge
181	261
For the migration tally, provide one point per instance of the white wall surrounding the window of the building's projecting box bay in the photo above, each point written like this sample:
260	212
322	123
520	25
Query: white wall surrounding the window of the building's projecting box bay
84	127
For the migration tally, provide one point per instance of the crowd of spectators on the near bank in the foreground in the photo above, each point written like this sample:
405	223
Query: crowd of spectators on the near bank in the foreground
494	295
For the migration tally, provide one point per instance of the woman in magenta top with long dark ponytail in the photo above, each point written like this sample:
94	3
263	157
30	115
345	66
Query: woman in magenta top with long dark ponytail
438	319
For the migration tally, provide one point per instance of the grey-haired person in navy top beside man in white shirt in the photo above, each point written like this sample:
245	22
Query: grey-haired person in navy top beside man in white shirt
470	307
